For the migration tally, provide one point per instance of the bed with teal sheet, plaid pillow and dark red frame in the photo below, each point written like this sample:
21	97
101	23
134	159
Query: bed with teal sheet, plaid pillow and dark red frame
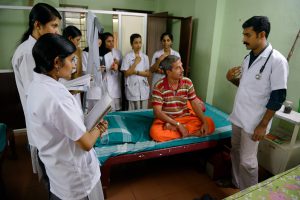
127	139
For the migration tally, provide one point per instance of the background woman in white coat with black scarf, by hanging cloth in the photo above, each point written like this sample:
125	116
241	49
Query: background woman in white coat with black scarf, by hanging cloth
111	74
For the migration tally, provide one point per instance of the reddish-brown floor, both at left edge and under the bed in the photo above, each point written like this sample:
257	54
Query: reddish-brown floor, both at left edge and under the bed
176	178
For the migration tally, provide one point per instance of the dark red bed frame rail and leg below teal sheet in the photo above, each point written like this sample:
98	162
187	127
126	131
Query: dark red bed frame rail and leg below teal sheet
128	158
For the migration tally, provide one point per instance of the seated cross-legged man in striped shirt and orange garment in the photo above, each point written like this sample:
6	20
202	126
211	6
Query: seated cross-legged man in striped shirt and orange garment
170	96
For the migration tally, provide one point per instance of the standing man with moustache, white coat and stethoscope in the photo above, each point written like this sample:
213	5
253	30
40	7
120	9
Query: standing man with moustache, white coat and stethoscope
262	85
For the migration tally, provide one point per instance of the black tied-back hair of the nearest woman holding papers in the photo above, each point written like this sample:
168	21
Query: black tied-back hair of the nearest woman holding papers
47	48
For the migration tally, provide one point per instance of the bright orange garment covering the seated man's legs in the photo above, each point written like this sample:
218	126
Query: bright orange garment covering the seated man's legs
192	124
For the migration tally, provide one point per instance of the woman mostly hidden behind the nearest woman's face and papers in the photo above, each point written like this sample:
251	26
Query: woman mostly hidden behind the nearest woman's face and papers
73	34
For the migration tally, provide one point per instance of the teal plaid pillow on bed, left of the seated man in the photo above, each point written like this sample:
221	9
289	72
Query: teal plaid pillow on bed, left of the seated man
127	127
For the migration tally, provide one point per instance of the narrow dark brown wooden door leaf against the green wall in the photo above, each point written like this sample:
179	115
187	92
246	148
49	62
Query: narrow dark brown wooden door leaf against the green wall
185	43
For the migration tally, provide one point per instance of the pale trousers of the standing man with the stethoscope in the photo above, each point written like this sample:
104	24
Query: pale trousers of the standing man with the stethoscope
243	158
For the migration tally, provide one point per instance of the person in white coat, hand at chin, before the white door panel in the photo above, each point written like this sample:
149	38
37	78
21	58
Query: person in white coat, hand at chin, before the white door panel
136	69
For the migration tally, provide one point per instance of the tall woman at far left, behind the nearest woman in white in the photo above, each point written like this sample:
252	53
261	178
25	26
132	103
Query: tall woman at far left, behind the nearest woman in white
43	19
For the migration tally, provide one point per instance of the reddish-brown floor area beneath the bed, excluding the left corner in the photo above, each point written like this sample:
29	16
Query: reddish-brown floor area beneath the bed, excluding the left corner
176	178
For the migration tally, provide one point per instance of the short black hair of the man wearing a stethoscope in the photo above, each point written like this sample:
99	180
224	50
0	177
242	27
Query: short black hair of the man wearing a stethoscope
259	24
